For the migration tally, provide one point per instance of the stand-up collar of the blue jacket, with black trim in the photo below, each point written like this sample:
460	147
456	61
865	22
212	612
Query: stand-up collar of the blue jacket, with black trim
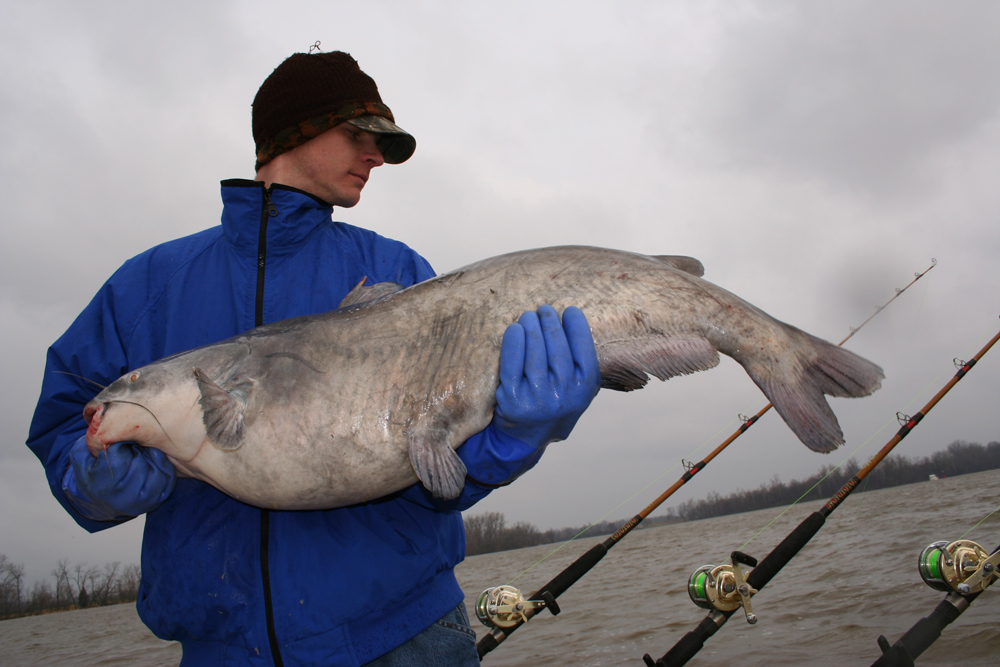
298	213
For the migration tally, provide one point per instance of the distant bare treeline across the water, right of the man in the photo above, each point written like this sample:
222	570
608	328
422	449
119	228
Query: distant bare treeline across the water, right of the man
488	532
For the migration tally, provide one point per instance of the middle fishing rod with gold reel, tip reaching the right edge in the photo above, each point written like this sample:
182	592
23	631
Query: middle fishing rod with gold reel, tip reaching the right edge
727	587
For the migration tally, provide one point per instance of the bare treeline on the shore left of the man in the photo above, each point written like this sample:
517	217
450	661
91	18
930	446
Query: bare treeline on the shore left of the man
72	587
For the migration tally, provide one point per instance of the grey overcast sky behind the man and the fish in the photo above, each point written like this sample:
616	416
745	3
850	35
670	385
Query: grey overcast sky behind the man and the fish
813	155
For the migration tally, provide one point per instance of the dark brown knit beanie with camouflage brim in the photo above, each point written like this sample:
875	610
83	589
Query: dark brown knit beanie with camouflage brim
308	94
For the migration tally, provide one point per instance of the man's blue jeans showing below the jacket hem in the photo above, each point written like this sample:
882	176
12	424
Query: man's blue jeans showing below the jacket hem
449	642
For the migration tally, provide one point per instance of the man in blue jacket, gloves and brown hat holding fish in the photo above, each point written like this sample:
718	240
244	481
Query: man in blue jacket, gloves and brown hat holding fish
367	584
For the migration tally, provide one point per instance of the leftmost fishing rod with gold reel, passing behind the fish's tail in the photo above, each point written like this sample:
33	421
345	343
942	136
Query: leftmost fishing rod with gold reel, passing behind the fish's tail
504	609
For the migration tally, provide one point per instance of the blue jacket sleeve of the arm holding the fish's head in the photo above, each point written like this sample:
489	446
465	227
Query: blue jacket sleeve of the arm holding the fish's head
89	356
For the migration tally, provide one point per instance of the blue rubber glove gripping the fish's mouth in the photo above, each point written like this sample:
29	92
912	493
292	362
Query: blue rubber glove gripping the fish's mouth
123	482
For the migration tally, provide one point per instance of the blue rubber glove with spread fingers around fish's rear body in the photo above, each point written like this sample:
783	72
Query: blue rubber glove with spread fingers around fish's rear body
548	376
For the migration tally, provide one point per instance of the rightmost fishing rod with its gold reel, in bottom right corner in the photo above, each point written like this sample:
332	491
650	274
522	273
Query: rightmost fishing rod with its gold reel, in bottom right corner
964	571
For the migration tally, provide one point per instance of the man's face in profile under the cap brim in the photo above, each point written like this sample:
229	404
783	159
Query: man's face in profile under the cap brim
335	165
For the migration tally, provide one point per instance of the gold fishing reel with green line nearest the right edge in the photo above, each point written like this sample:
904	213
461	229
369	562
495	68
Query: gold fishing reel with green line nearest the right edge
961	566
